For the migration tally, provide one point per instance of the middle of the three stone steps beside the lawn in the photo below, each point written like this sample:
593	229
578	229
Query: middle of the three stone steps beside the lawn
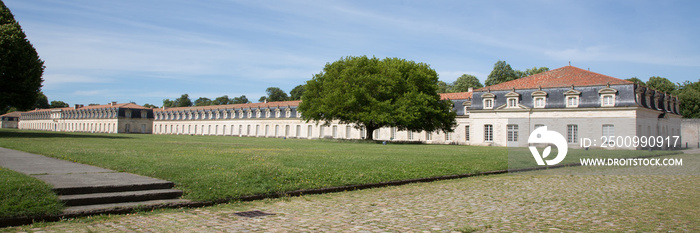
117	197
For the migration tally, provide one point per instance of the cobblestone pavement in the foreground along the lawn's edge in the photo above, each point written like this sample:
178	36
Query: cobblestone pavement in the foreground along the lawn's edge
520	203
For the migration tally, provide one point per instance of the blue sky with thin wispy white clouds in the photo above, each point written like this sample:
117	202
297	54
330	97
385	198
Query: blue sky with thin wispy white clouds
97	51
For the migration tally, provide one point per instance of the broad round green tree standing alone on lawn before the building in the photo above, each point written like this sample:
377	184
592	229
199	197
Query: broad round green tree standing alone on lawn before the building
371	93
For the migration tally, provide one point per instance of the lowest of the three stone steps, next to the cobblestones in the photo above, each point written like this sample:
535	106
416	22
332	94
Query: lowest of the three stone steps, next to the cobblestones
121	207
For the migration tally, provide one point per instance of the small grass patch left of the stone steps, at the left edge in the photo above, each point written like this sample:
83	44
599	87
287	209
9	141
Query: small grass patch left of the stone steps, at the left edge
23	195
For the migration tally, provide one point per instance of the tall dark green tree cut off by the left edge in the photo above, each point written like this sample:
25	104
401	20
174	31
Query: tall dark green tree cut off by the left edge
20	66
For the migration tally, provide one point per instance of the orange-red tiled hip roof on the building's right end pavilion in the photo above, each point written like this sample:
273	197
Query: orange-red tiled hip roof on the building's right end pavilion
561	77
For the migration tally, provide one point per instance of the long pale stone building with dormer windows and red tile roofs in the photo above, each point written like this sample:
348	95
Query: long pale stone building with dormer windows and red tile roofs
577	103
